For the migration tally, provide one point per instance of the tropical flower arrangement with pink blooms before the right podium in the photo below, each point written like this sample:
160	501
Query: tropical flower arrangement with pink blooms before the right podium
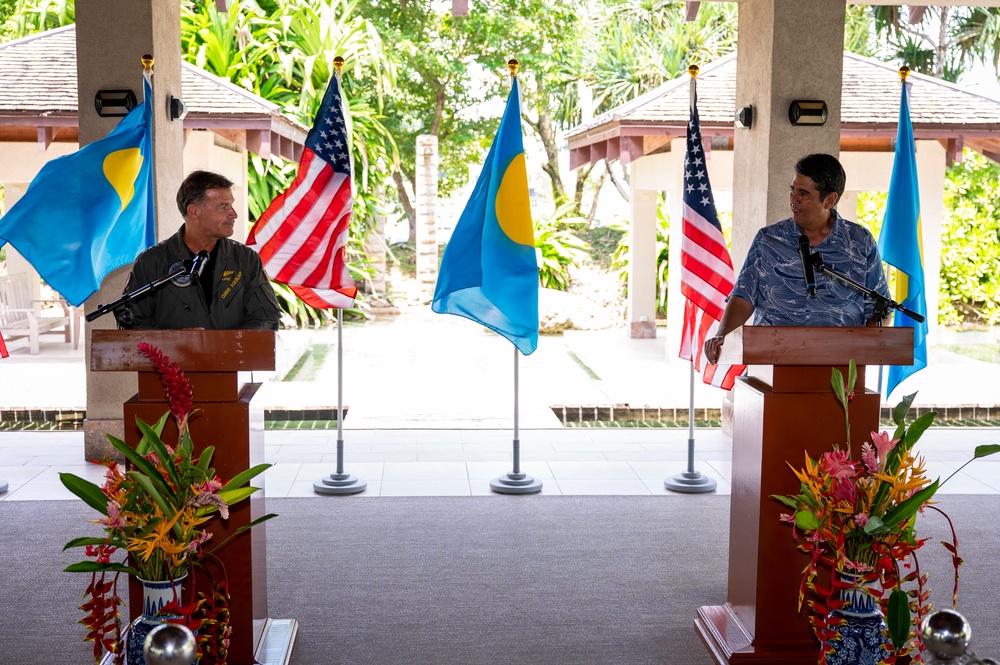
859	517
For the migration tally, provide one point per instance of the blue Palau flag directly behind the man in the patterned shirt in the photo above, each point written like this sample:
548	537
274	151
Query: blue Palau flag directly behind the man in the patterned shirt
900	245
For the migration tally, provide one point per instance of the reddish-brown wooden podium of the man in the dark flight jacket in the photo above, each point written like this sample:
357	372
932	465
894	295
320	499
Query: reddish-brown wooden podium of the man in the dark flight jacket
225	418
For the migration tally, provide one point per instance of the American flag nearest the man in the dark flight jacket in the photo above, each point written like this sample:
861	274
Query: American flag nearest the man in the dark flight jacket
302	236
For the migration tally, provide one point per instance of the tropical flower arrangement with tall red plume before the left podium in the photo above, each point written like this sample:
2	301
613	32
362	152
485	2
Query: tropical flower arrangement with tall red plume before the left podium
156	512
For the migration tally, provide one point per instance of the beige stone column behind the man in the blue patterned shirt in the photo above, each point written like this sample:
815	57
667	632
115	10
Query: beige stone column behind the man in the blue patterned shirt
793	51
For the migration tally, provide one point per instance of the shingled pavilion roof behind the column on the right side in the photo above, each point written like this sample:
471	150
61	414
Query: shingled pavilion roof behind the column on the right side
869	110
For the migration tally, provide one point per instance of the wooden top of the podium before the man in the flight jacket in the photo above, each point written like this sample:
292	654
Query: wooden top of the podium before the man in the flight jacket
192	350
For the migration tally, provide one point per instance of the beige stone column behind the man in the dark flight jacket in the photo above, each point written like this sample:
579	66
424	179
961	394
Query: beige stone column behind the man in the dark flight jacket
111	38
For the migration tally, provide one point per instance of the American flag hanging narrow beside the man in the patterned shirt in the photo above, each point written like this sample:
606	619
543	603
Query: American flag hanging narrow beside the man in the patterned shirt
707	275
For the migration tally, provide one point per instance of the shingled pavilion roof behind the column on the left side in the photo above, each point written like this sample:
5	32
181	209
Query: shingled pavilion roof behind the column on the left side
39	89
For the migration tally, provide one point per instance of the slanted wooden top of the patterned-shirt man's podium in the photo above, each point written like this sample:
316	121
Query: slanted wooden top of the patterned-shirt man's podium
809	345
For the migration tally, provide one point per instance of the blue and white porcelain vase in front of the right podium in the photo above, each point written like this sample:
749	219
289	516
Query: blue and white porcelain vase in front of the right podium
863	631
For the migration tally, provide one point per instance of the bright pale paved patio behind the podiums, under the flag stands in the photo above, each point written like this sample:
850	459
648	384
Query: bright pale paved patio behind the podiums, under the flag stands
431	413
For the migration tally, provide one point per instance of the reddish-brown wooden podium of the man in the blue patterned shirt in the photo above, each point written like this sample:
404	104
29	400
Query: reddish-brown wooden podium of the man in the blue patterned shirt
785	408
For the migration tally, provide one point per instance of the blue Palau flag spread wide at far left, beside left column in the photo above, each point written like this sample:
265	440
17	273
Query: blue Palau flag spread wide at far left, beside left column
90	212
